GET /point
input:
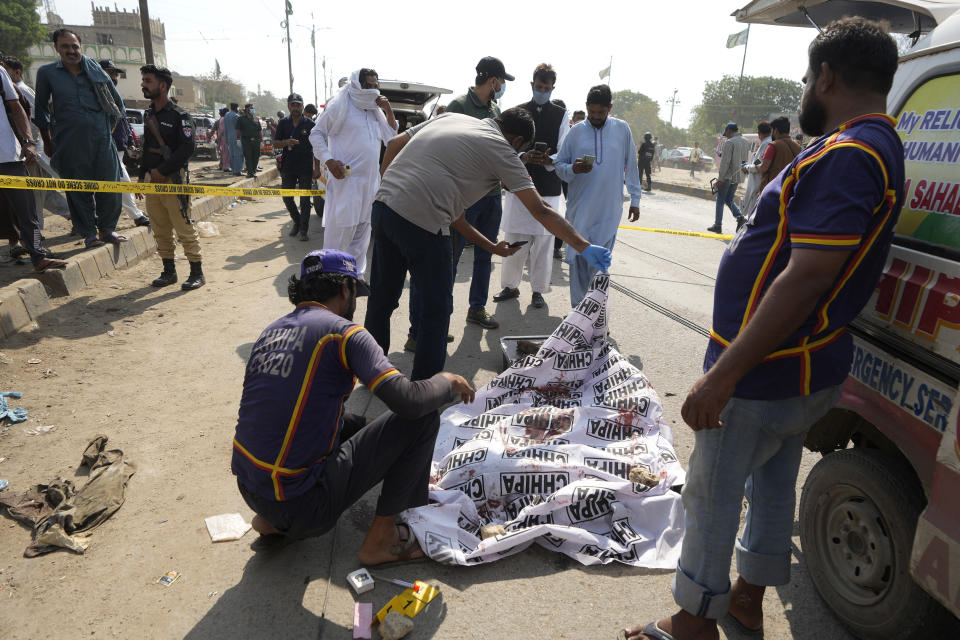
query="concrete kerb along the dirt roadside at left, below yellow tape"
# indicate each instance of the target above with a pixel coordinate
(25, 300)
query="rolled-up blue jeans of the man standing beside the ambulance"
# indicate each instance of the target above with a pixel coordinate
(756, 454)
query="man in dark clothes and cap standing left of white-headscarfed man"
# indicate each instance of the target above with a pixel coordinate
(296, 163)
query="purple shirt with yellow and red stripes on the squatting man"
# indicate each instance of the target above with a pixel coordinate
(299, 375)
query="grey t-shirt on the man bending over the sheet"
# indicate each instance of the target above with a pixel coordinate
(451, 161)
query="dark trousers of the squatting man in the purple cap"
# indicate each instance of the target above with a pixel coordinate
(390, 449)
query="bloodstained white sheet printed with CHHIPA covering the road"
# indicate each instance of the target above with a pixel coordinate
(566, 448)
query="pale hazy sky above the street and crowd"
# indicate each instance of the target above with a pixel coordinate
(657, 45)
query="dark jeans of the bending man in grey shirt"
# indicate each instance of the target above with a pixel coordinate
(400, 246)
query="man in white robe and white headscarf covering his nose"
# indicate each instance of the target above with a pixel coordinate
(347, 139)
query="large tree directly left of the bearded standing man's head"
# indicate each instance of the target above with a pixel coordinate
(725, 100)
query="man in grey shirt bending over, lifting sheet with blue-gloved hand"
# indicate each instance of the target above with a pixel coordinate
(431, 174)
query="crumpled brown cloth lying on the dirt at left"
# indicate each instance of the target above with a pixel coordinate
(57, 511)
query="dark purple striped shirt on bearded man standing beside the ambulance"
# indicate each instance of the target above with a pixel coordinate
(842, 193)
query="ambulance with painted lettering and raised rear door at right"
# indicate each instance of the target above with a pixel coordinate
(880, 512)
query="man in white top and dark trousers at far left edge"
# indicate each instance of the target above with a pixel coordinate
(19, 216)
